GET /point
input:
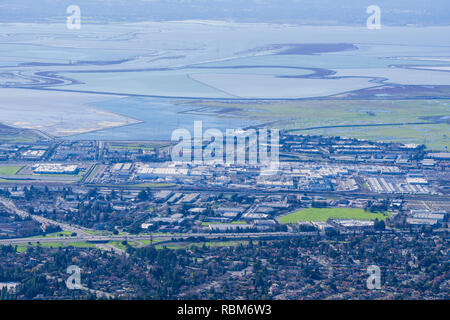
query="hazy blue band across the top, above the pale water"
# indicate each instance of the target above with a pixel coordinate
(394, 12)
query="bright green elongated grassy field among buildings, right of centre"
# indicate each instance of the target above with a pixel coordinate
(323, 214)
